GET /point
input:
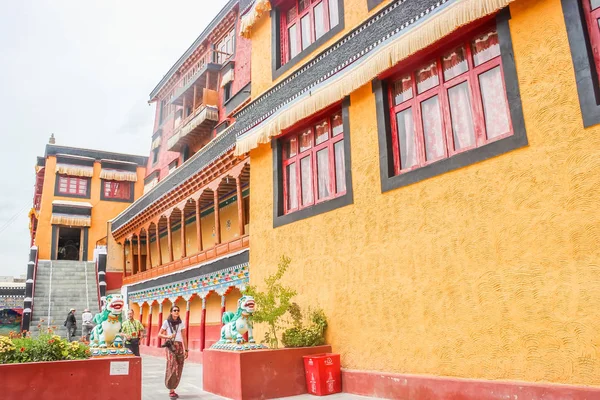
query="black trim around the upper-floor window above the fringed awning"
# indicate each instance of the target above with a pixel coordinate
(277, 68)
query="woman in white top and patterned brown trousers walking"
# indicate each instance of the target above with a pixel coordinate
(173, 331)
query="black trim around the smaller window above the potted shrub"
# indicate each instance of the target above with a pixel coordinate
(279, 218)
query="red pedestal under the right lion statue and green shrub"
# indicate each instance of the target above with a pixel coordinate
(256, 374)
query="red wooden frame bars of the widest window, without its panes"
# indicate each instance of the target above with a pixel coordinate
(441, 90)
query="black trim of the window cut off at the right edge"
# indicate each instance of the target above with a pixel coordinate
(588, 87)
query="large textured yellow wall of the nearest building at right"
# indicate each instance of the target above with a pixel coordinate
(491, 271)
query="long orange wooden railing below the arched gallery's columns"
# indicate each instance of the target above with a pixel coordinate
(179, 265)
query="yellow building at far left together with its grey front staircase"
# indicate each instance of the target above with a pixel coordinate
(76, 192)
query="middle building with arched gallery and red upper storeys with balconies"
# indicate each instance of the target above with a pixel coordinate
(186, 241)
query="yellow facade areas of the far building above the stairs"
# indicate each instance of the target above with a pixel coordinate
(102, 211)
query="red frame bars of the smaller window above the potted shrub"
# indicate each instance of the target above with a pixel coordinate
(292, 156)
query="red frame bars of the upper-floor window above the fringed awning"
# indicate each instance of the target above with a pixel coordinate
(290, 19)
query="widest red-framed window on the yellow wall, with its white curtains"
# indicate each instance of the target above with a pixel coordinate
(452, 103)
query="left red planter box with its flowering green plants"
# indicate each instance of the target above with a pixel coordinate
(42, 367)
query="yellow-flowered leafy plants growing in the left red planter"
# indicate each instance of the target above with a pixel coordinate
(19, 348)
